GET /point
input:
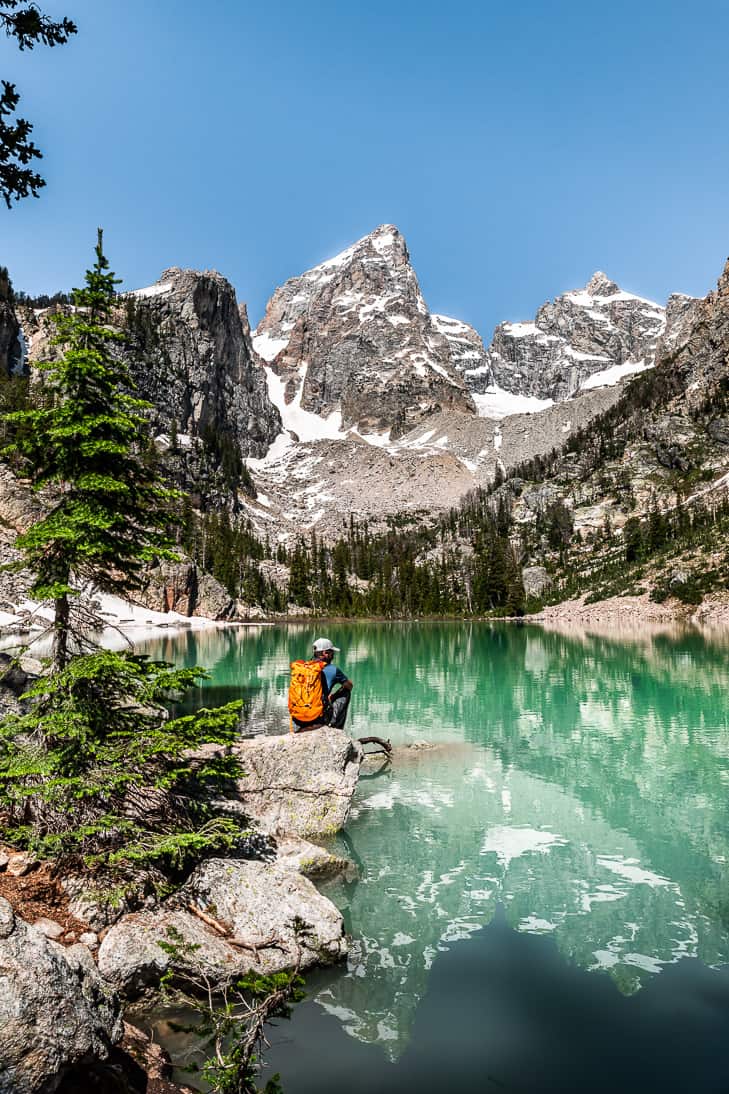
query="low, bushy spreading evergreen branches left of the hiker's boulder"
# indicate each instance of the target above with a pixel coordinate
(97, 769)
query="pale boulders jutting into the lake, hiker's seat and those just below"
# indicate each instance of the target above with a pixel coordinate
(298, 785)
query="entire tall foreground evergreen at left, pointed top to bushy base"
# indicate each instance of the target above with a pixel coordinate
(97, 770)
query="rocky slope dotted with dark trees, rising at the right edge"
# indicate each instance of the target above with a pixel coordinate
(659, 453)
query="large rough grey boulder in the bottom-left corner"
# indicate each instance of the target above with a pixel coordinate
(55, 1011)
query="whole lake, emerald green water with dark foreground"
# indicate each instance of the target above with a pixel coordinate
(542, 901)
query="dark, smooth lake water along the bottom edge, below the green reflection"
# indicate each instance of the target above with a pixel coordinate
(505, 1012)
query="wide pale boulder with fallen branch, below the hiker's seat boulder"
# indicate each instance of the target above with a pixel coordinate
(258, 902)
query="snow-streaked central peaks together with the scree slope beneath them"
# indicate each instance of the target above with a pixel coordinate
(331, 341)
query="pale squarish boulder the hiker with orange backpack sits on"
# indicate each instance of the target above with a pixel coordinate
(302, 784)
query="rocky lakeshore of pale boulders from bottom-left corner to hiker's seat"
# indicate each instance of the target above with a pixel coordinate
(72, 963)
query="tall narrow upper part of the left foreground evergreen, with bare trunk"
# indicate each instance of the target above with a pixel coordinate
(110, 513)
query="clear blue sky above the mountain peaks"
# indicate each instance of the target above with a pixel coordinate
(518, 146)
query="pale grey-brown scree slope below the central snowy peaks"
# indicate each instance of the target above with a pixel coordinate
(319, 485)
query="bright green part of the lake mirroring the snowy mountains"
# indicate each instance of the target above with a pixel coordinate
(580, 783)
